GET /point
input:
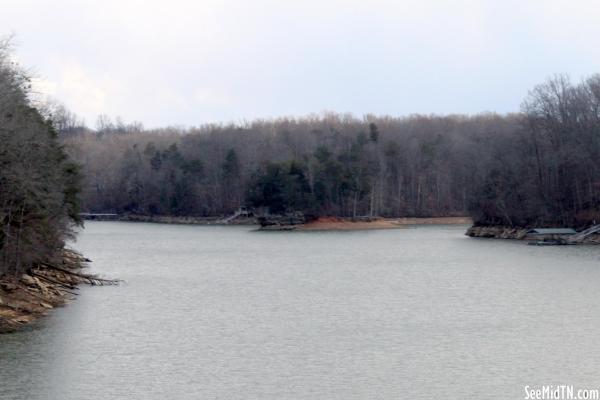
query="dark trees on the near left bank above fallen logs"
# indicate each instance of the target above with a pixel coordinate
(38, 184)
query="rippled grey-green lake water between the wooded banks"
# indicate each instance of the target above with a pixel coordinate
(229, 313)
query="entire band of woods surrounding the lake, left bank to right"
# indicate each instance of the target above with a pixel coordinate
(539, 166)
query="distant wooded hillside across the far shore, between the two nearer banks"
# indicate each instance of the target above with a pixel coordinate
(330, 164)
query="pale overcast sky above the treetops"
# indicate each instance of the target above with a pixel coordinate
(183, 62)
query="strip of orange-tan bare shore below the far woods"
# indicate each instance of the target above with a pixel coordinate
(333, 223)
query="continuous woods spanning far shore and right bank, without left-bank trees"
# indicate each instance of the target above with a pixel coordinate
(539, 166)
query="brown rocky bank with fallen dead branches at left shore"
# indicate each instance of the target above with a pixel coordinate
(26, 298)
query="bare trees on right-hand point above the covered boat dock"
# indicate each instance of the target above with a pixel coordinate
(547, 172)
